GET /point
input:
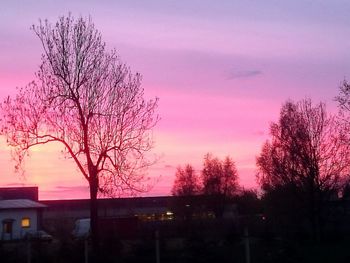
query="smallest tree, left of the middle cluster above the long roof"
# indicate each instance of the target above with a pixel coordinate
(186, 182)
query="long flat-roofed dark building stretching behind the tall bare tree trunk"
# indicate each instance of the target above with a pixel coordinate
(159, 208)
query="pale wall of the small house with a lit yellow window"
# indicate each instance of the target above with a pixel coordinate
(18, 231)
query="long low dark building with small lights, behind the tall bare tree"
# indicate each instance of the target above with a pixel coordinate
(137, 216)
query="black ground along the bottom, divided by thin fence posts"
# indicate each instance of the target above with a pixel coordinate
(194, 249)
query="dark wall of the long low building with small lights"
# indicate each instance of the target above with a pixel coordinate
(60, 216)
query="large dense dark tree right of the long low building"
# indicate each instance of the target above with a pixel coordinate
(305, 156)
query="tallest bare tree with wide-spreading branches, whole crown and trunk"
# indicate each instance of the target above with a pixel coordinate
(85, 98)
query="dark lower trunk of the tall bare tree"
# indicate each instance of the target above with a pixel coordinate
(94, 215)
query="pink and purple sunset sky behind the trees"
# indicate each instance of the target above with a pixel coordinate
(221, 70)
